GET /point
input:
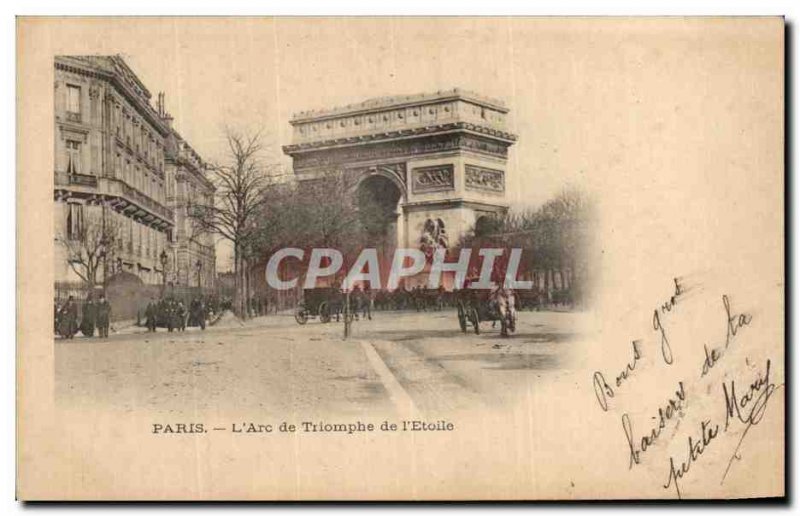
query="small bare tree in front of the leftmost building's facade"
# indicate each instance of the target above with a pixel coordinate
(90, 244)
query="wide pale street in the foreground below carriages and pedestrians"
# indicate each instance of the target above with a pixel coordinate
(401, 363)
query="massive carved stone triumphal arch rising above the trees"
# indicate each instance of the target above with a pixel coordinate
(439, 160)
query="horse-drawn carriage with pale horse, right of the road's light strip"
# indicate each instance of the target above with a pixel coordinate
(477, 306)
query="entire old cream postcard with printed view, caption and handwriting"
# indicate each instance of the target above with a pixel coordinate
(400, 258)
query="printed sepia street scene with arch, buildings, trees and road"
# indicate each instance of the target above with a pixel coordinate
(141, 289)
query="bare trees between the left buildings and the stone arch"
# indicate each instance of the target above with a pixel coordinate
(258, 212)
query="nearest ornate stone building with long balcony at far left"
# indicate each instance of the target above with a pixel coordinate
(112, 208)
